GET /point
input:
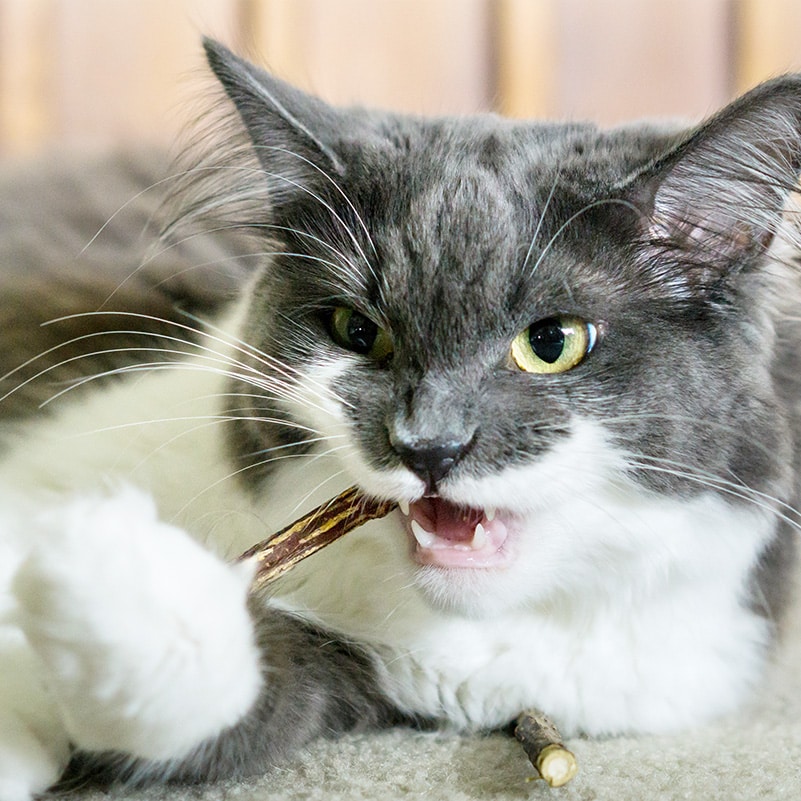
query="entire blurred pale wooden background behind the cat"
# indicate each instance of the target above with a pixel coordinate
(90, 73)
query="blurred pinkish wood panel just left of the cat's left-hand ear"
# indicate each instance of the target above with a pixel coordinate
(123, 66)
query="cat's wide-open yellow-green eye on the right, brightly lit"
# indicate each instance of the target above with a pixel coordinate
(553, 345)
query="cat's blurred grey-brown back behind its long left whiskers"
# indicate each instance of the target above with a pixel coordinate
(85, 284)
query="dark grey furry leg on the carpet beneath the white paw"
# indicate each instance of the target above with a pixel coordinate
(315, 686)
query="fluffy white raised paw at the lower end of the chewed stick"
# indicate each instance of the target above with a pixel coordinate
(145, 636)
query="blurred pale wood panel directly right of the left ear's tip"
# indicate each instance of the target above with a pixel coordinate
(420, 56)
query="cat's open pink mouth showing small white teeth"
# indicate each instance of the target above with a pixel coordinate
(448, 535)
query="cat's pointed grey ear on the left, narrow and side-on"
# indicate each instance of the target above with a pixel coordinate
(294, 135)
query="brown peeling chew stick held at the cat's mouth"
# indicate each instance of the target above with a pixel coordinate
(313, 531)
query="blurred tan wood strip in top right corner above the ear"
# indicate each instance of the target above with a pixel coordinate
(768, 40)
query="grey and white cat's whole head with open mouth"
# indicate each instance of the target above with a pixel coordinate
(503, 325)
